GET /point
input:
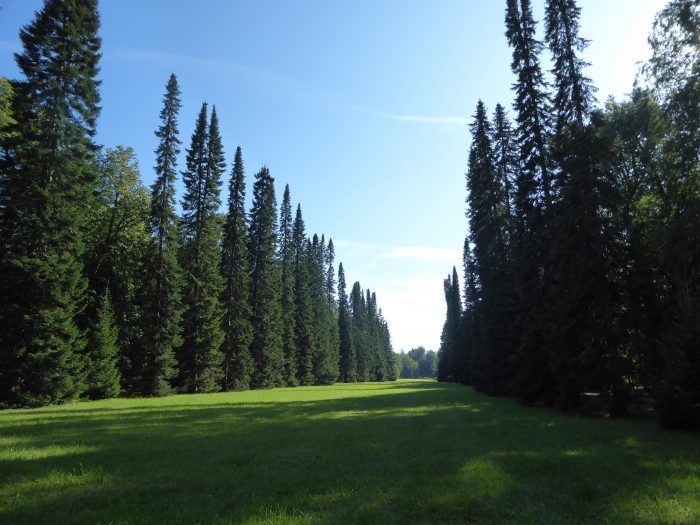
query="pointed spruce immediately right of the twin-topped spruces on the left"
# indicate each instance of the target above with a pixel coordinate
(238, 362)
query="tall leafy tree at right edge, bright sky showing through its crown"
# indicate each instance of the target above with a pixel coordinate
(674, 72)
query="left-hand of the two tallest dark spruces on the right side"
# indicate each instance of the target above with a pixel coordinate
(533, 199)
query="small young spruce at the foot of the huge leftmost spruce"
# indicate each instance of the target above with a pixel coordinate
(103, 352)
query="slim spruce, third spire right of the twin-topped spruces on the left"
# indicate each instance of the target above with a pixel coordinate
(286, 257)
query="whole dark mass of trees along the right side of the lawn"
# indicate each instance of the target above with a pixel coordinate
(582, 259)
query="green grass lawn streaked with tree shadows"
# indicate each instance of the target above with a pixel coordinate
(407, 452)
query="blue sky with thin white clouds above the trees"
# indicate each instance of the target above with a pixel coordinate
(361, 106)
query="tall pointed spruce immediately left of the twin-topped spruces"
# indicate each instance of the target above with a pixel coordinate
(152, 369)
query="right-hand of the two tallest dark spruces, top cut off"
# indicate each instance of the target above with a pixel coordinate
(581, 339)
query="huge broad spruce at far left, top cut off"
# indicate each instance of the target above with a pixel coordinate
(47, 187)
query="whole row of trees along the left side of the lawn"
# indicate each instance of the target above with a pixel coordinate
(107, 290)
